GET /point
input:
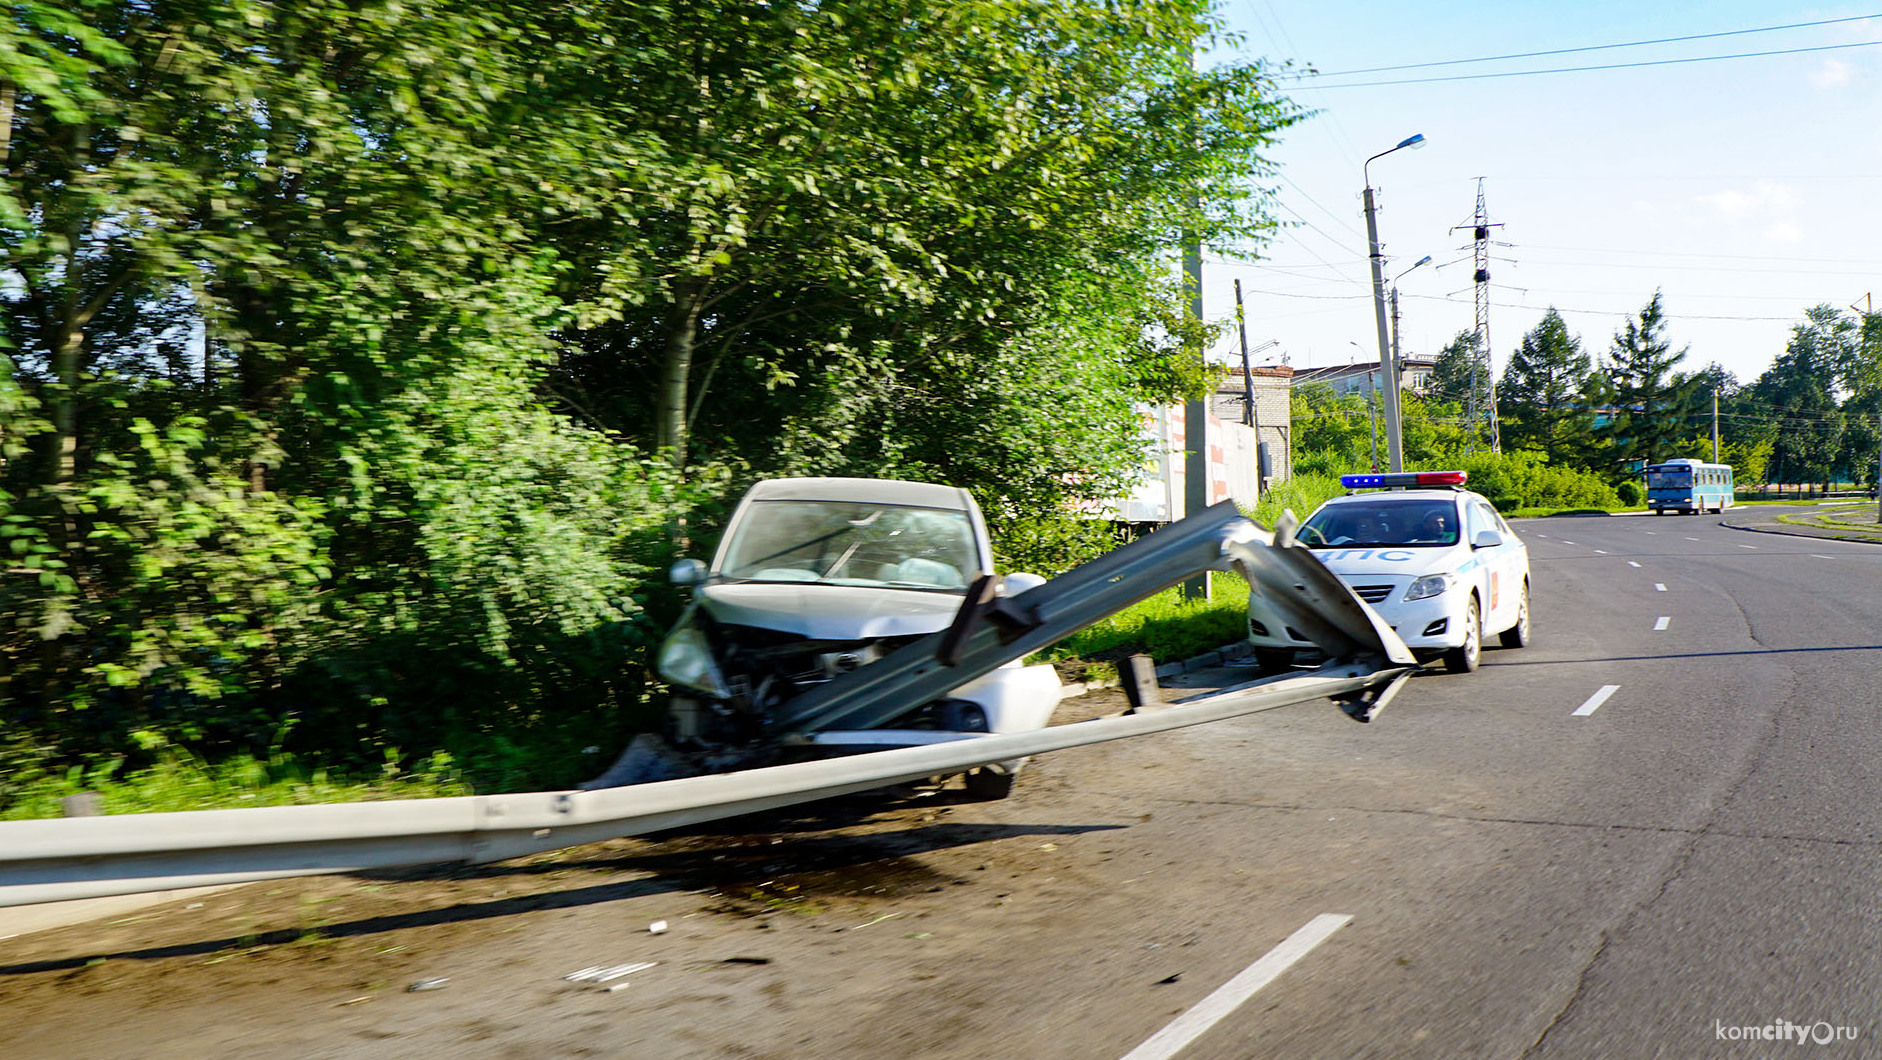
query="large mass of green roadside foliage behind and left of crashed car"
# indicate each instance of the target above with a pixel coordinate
(362, 359)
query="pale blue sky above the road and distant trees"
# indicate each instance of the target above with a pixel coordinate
(1744, 189)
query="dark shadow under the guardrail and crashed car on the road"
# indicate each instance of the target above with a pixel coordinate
(742, 871)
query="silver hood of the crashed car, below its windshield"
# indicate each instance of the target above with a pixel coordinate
(831, 613)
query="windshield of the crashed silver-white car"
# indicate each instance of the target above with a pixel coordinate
(848, 543)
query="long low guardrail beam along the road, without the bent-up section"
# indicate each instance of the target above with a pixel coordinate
(89, 858)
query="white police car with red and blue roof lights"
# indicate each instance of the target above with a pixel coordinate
(1433, 558)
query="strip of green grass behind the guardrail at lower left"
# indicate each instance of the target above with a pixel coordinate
(183, 782)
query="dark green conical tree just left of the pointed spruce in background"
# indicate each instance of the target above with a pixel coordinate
(1544, 396)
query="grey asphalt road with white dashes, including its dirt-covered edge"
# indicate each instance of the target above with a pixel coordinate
(1695, 856)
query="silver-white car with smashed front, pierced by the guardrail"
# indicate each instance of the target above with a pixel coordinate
(818, 577)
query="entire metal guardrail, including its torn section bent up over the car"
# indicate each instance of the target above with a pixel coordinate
(91, 858)
